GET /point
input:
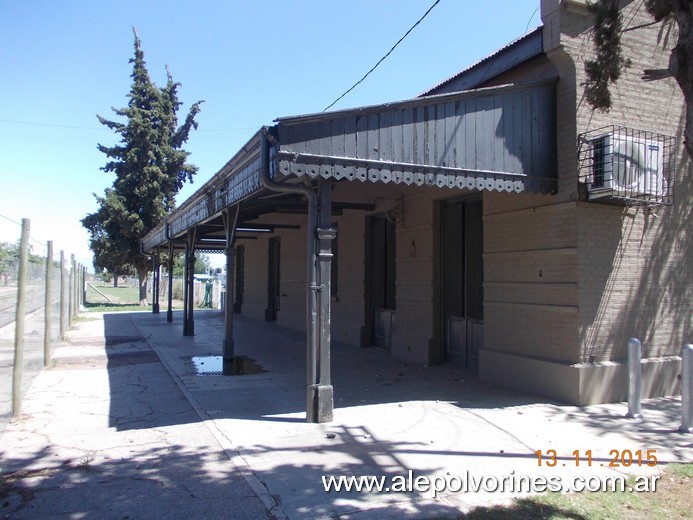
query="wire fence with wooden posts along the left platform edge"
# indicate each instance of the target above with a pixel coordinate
(40, 294)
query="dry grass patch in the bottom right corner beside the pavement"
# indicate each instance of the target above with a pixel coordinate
(672, 499)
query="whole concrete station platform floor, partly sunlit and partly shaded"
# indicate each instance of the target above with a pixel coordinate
(111, 432)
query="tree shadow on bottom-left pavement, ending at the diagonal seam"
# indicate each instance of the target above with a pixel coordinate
(162, 482)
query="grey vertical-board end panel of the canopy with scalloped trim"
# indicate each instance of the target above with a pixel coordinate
(509, 131)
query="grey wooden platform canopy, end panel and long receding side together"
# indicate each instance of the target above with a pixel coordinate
(498, 138)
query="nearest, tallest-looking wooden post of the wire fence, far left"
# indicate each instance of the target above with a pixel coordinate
(18, 366)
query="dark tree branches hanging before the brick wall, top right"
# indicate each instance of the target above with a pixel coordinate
(610, 62)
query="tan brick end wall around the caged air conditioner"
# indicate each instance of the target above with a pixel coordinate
(634, 268)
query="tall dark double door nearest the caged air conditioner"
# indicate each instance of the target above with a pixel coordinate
(461, 281)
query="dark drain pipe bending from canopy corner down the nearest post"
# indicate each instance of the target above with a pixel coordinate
(312, 274)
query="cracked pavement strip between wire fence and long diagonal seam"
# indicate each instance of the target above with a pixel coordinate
(106, 433)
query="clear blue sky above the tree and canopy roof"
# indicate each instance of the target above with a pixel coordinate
(63, 62)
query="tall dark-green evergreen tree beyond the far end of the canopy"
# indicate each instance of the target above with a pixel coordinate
(150, 168)
